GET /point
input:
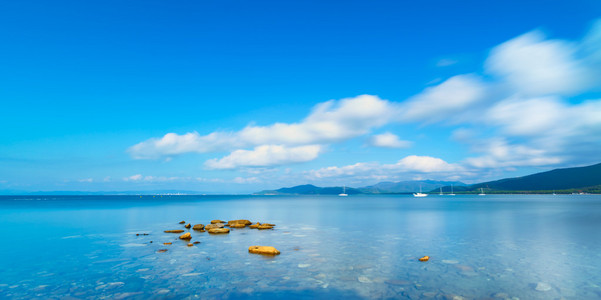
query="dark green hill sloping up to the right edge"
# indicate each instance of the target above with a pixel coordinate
(580, 178)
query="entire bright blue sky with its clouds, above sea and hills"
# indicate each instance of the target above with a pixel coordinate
(238, 96)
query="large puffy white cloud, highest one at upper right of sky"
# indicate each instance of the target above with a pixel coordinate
(535, 66)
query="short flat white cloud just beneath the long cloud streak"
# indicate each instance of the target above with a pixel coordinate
(264, 156)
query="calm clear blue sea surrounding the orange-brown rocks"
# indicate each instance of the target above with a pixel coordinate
(356, 247)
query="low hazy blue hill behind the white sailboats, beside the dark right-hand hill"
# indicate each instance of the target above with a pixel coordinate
(408, 186)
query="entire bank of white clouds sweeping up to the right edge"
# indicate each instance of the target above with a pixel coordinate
(519, 111)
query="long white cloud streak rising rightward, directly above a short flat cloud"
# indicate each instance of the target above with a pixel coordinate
(329, 122)
